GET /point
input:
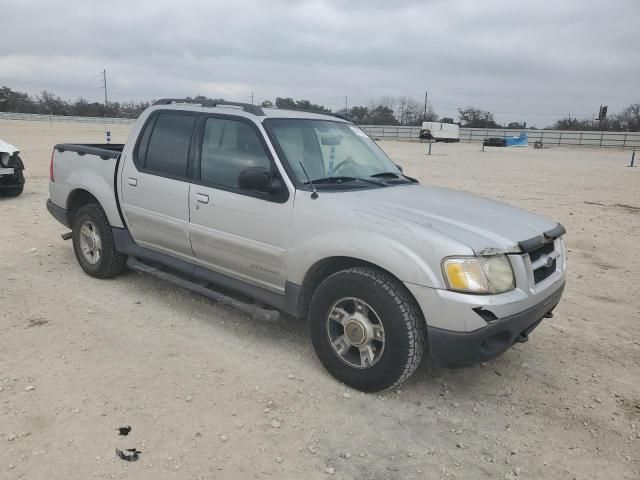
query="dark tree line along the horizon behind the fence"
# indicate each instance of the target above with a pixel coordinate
(401, 110)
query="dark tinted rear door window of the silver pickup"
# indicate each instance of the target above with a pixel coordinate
(168, 150)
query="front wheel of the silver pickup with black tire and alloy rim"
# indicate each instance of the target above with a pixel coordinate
(395, 358)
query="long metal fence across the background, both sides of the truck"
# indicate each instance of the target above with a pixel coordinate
(388, 132)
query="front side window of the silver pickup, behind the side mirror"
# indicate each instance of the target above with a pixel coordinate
(228, 148)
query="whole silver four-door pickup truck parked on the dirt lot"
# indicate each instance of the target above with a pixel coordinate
(273, 210)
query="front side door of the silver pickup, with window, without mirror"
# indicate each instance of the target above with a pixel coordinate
(237, 232)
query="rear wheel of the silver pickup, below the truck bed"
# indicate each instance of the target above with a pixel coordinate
(105, 261)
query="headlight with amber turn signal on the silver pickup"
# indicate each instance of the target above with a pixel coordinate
(491, 274)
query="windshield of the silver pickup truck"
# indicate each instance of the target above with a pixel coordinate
(331, 151)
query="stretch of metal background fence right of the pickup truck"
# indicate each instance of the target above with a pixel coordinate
(548, 137)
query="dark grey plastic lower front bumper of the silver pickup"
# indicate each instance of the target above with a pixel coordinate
(459, 349)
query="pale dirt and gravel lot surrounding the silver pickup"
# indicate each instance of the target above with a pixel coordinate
(210, 393)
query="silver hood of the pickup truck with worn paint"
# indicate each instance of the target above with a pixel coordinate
(486, 226)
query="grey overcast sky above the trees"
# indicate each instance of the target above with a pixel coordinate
(530, 61)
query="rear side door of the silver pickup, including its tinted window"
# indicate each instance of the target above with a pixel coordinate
(155, 185)
